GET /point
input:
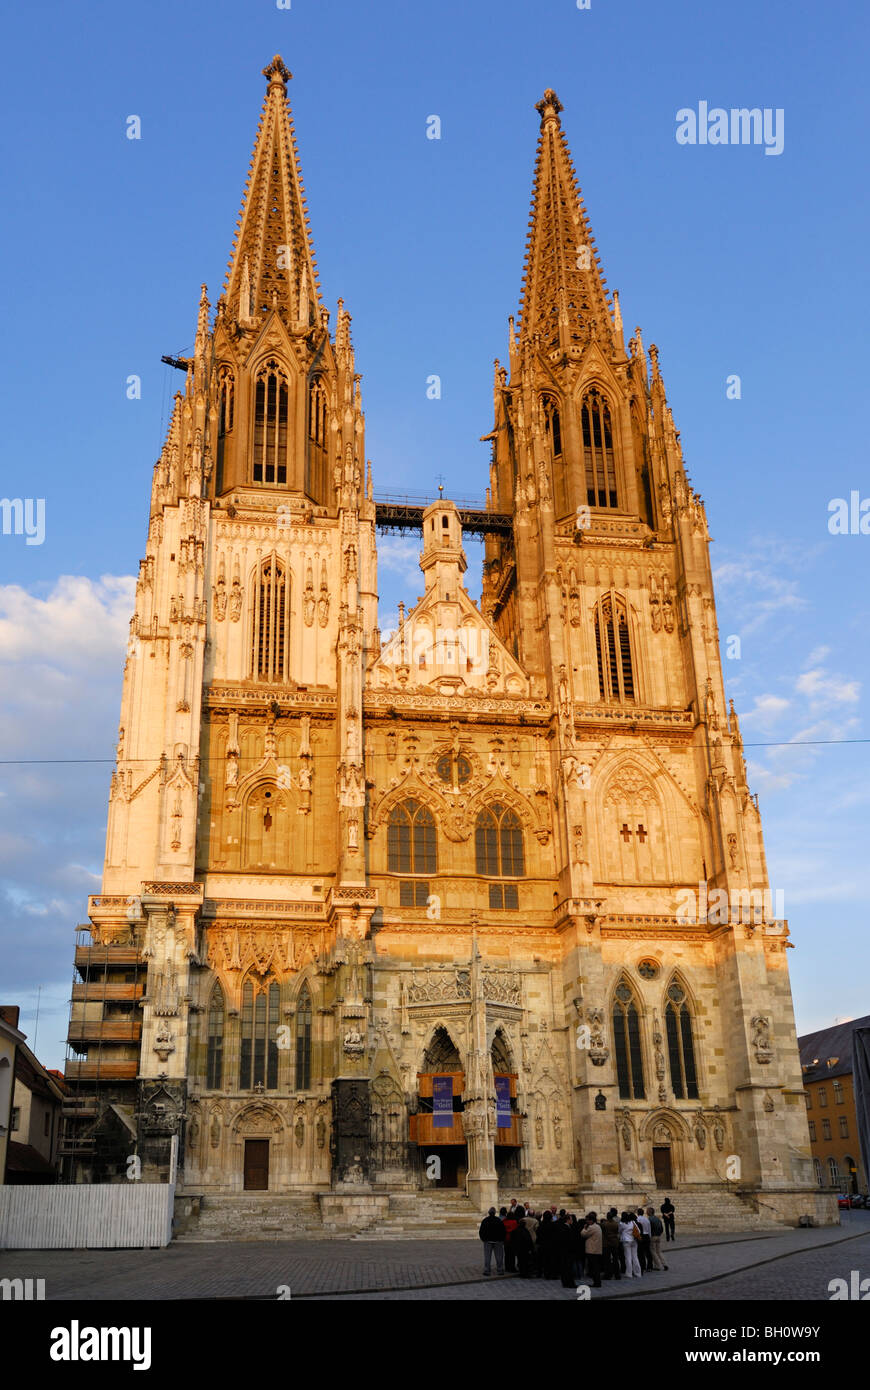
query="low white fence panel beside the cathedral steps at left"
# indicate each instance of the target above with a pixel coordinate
(87, 1217)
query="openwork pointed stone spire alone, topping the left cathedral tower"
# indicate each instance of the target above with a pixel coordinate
(273, 263)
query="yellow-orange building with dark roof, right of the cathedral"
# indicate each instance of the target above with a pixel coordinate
(826, 1061)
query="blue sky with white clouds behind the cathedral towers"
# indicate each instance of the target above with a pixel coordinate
(733, 262)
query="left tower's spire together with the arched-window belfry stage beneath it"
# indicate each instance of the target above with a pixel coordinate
(286, 397)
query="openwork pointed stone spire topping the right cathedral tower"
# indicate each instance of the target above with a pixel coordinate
(564, 290)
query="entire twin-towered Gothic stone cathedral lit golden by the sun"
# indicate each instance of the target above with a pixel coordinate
(387, 914)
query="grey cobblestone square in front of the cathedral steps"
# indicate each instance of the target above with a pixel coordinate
(789, 1264)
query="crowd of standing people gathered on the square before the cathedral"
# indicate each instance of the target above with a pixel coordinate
(558, 1245)
